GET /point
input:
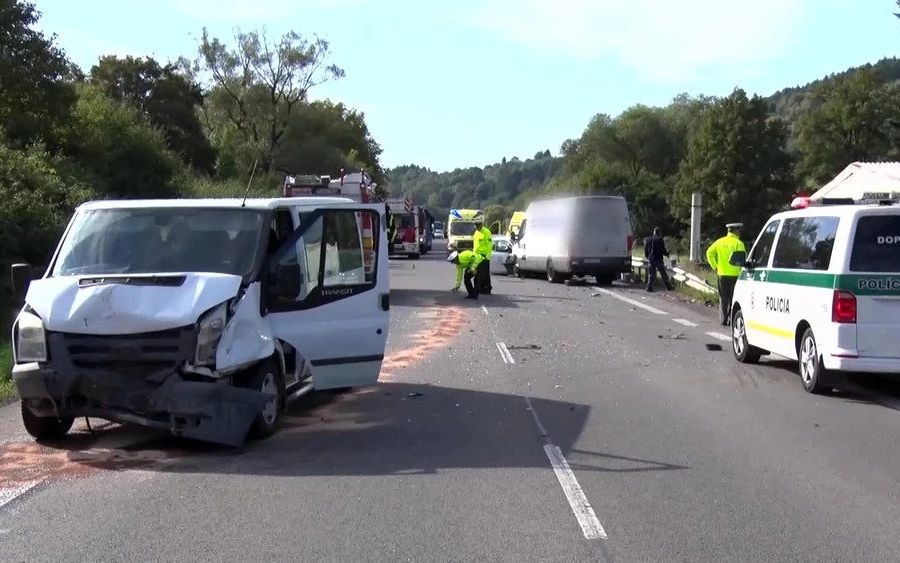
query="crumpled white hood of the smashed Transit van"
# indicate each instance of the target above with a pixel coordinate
(127, 304)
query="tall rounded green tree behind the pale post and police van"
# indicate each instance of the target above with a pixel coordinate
(737, 159)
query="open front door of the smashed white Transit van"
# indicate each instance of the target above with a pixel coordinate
(321, 298)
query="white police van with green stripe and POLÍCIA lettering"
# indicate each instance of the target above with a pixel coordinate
(821, 285)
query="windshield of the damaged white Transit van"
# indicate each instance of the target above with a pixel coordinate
(156, 240)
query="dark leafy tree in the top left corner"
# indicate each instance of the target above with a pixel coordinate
(35, 94)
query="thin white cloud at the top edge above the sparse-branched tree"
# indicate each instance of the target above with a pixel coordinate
(253, 11)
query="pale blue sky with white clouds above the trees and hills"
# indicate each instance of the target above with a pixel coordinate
(451, 84)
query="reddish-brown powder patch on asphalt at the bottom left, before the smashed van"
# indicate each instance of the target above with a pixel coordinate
(22, 463)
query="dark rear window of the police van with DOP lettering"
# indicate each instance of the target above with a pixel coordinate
(876, 245)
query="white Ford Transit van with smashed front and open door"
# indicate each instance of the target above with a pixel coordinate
(201, 317)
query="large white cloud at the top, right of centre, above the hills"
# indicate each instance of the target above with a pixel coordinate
(663, 40)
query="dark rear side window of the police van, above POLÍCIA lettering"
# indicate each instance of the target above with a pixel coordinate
(806, 243)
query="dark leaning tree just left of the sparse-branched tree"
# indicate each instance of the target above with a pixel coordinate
(166, 97)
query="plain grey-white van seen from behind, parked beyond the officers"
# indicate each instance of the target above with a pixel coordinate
(575, 236)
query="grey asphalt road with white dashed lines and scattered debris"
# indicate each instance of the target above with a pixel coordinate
(544, 422)
